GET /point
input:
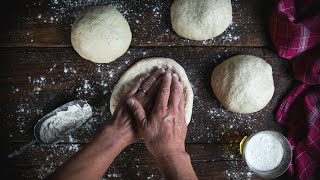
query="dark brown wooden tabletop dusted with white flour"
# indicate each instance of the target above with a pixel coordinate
(40, 71)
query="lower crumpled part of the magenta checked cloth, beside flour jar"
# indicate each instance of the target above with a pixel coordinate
(300, 113)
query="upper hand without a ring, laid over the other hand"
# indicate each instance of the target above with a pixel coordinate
(164, 129)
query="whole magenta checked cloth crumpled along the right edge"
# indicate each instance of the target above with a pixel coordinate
(295, 32)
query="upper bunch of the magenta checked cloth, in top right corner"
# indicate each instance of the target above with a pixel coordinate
(295, 26)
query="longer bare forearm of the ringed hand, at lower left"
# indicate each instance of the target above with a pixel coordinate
(93, 160)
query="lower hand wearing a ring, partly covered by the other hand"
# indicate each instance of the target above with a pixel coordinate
(123, 125)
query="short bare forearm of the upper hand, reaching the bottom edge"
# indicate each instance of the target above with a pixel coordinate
(177, 166)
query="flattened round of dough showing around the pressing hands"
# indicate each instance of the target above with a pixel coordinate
(148, 66)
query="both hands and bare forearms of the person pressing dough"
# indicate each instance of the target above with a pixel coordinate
(157, 116)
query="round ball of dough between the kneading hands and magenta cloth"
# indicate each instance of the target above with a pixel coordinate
(243, 83)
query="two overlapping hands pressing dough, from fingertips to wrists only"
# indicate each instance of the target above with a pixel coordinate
(157, 116)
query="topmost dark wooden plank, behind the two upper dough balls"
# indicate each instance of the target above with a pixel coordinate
(45, 24)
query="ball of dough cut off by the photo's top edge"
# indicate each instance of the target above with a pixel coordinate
(202, 19)
